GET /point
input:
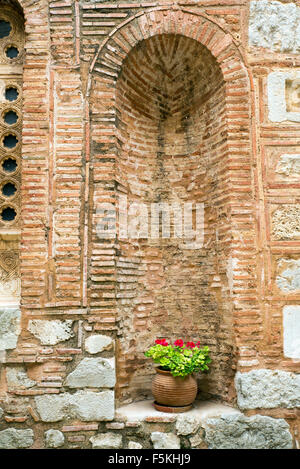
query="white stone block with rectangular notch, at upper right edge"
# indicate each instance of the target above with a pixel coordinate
(284, 96)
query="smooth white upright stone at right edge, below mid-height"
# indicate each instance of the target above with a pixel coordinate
(291, 331)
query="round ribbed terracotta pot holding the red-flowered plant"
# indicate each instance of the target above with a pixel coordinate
(173, 394)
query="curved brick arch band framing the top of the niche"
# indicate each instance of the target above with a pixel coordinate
(166, 20)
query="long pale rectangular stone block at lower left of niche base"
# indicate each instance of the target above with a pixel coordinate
(83, 405)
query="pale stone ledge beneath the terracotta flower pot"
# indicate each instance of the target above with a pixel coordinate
(144, 411)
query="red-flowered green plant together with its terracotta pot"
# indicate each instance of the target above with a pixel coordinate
(174, 387)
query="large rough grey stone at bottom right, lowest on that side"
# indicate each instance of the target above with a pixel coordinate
(241, 432)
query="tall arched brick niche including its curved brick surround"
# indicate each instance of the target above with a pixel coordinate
(162, 91)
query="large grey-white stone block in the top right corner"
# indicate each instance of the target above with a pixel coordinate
(274, 25)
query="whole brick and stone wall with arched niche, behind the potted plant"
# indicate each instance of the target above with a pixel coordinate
(168, 102)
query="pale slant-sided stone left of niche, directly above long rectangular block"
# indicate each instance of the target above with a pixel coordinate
(93, 372)
